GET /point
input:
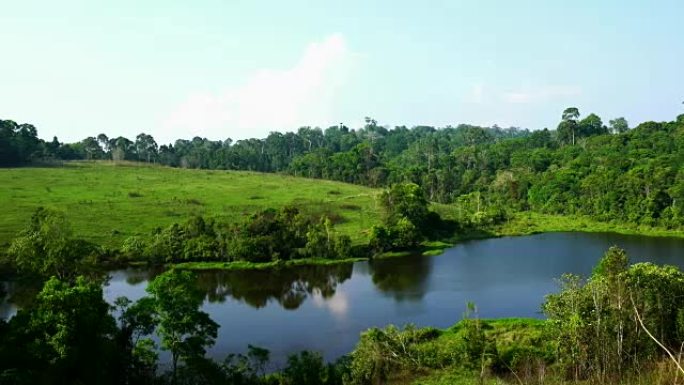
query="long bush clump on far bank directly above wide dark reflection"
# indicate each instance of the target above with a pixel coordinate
(267, 235)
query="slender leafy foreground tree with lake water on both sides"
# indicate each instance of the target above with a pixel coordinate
(183, 328)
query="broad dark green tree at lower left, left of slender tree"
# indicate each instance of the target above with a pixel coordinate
(70, 328)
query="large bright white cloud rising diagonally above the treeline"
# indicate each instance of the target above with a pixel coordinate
(270, 99)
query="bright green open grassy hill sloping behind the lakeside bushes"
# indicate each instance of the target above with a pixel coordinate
(107, 202)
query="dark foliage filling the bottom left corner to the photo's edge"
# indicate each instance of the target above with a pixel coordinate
(67, 336)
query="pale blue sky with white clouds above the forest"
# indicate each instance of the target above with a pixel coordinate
(241, 69)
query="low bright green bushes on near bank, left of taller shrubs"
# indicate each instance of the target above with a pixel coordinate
(393, 355)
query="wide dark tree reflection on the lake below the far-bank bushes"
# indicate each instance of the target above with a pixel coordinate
(288, 286)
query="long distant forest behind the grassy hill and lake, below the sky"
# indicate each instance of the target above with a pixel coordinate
(583, 167)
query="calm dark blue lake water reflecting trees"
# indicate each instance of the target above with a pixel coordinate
(324, 308)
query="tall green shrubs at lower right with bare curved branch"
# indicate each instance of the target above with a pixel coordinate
(595, 324)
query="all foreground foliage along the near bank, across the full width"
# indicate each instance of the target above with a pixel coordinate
(591, 336)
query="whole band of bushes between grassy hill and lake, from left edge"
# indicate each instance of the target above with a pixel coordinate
(47, 247)
